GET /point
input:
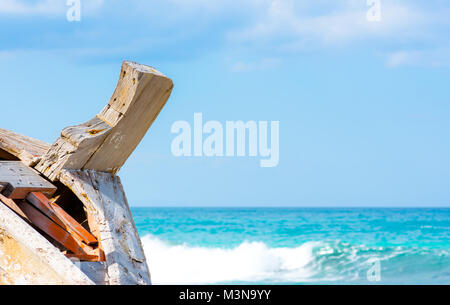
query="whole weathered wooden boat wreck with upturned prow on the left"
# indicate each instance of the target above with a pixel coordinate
(64, 216)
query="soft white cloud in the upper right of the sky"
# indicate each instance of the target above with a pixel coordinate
(296, 23)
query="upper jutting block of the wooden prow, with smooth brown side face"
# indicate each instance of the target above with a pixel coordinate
(139, 97)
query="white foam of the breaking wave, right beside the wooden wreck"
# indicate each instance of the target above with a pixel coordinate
(249, 262)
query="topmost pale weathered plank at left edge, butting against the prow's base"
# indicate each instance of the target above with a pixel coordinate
(26, 149)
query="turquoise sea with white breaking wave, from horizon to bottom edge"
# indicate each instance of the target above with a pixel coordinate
(296, 245)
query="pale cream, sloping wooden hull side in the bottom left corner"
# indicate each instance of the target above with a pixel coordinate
(28, 258)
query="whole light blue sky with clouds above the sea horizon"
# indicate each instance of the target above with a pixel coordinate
(364, 107)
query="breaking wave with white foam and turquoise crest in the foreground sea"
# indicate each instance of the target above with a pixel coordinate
(311, 262)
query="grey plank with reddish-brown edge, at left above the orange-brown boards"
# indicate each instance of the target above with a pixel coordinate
(19, 180)
